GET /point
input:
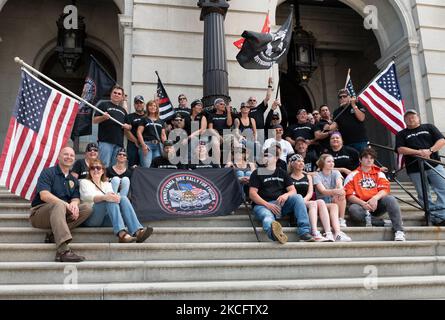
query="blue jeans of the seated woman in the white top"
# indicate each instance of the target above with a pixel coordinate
(117, 215)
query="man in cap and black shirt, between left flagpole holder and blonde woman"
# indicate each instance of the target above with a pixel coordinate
(134, 119)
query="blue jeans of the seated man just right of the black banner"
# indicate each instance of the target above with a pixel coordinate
(294, 204)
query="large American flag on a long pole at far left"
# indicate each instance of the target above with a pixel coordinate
(40, 125)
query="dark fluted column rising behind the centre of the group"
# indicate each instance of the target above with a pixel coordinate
(215, 75)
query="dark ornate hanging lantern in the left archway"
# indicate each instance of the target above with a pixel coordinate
(70, 42)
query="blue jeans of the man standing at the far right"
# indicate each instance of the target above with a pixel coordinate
(438, 185)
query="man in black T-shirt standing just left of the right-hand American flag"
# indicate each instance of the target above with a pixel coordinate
(350, 120)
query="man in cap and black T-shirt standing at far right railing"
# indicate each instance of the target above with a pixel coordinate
(424, 140)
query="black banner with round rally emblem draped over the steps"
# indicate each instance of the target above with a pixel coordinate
(159, 194)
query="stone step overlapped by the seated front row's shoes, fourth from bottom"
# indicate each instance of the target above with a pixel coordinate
(221, 234)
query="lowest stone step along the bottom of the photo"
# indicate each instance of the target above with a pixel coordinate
(427, 287)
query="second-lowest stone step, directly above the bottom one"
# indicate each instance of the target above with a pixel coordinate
(217, 270)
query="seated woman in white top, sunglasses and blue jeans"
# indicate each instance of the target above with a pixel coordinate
(109, 208)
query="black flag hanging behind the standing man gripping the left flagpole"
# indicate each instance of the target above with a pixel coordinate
(97, 87)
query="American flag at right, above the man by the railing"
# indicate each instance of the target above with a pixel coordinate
(384, 101)
